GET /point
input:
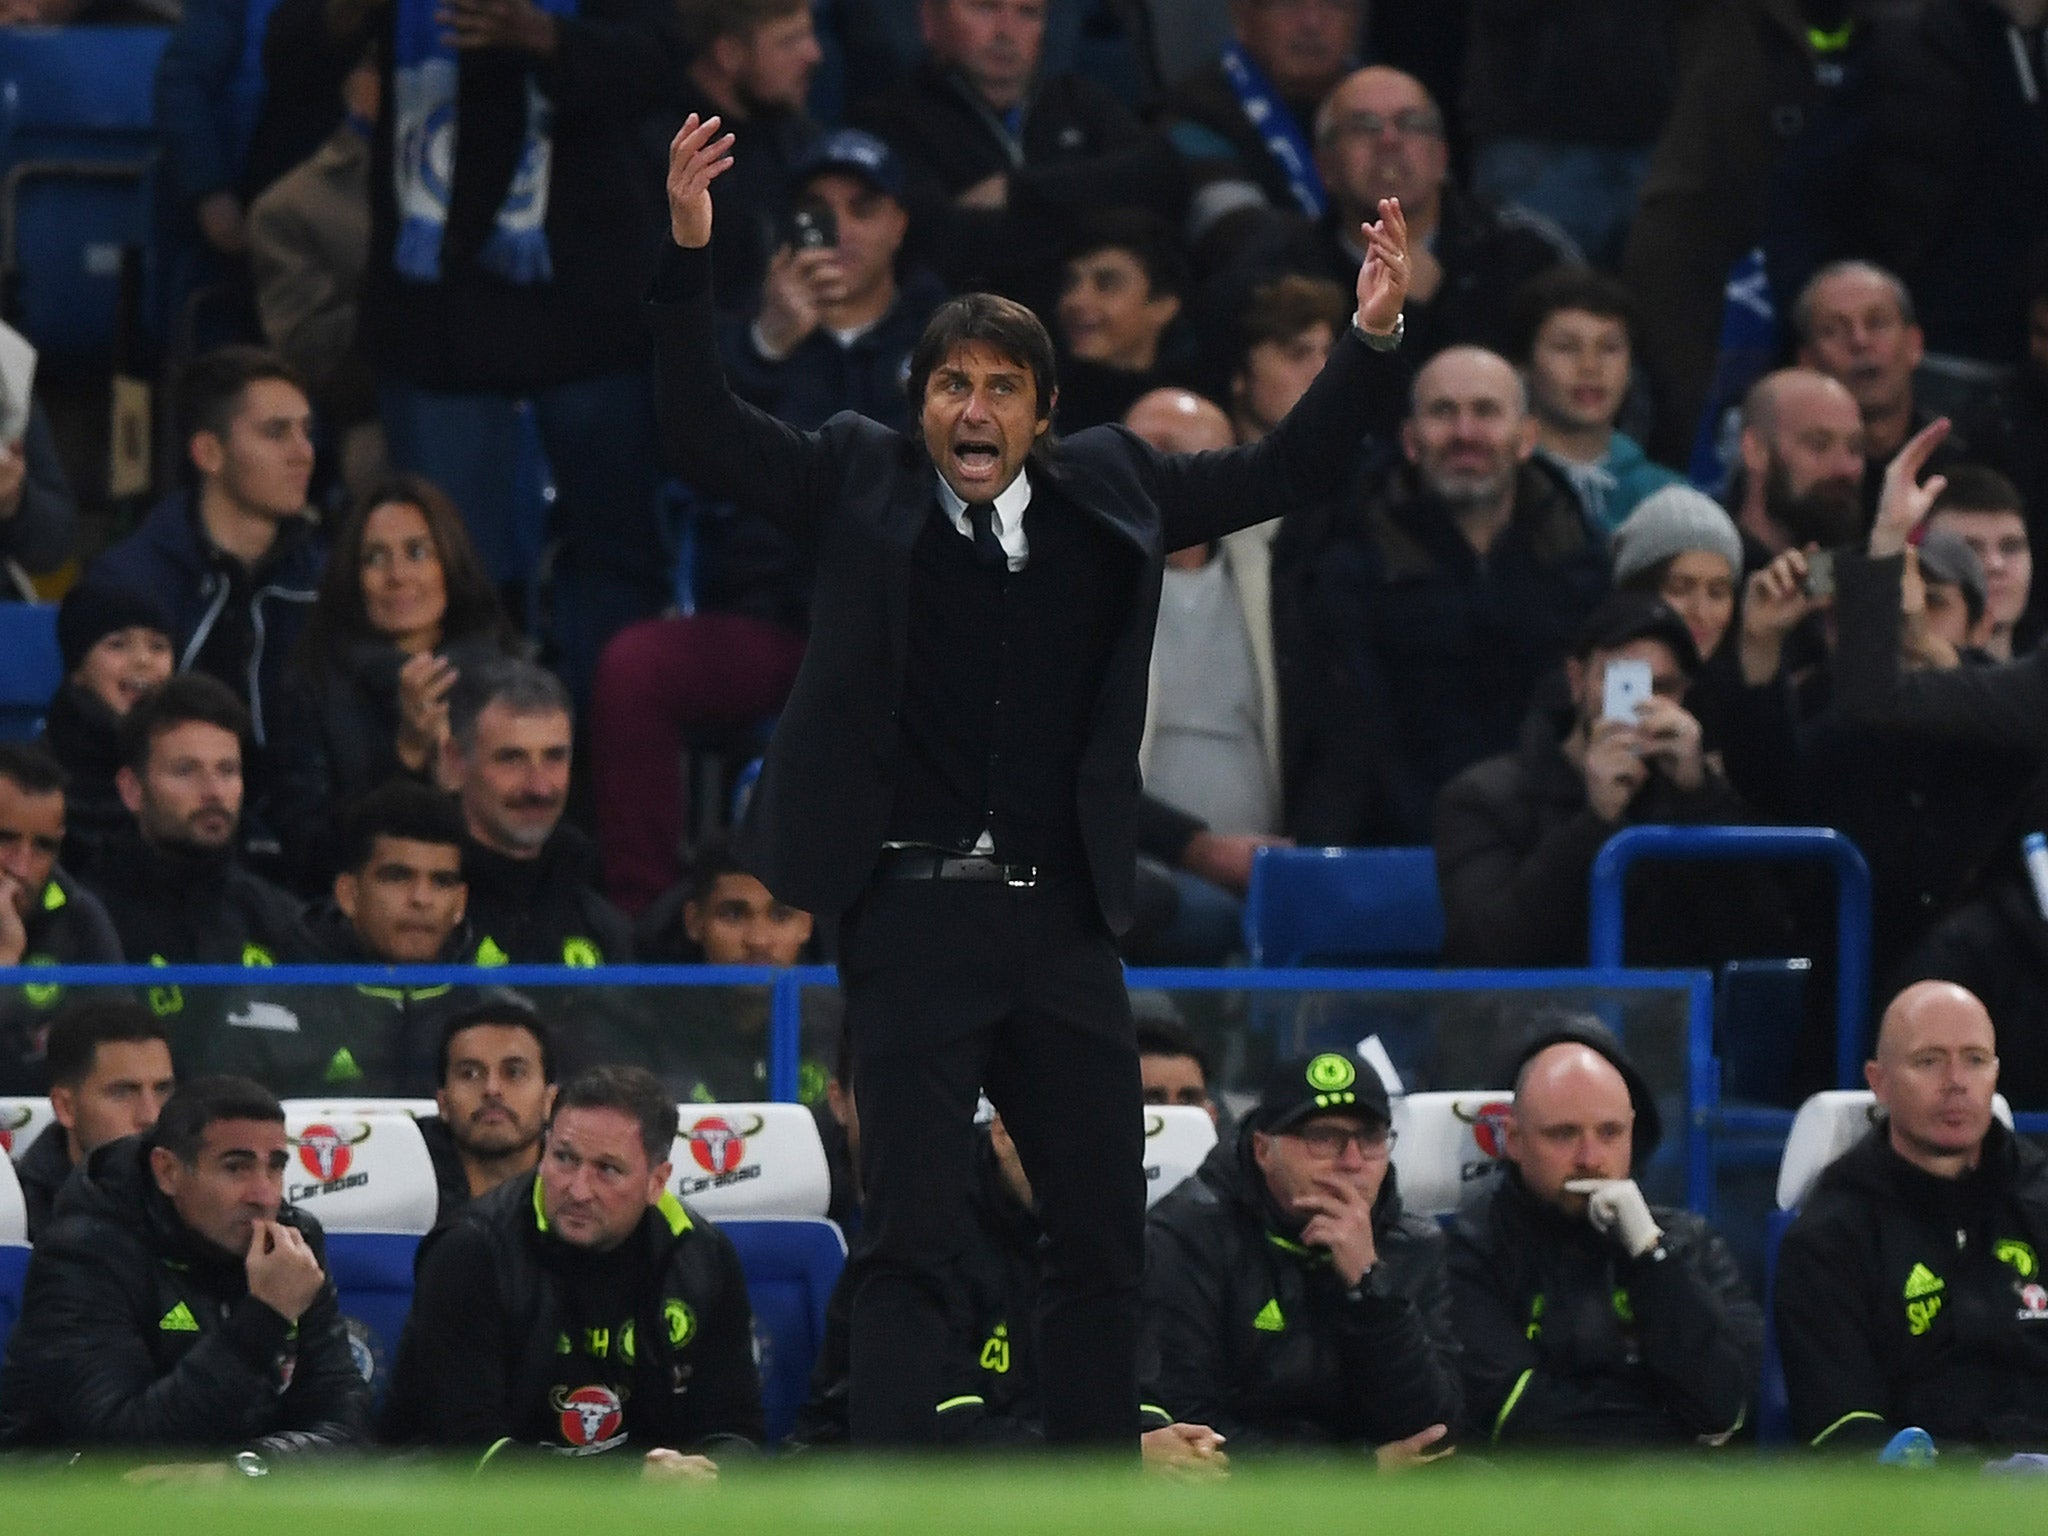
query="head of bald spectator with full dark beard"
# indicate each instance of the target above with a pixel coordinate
(1803, 466)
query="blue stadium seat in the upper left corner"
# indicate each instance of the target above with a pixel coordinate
(79, 153)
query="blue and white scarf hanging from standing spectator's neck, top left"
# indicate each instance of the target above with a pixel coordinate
(423, 161)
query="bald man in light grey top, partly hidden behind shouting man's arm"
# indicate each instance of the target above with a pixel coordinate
(1211, 749)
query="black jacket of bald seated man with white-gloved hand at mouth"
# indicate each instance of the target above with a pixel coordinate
(1572, 1342)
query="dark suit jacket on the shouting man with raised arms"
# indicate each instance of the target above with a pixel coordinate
(857, 497)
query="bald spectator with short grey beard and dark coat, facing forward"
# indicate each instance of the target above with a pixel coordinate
(1447, 601)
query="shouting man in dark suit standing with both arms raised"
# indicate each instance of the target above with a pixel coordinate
(955, 775)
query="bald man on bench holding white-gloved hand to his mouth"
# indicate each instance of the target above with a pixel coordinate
(1588, 1316)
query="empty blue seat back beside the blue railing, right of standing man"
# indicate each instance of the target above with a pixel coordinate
(1345, 906)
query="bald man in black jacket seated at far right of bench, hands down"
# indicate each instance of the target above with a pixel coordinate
(1910, 1289)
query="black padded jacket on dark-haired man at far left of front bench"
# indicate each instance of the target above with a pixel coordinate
(134, 1332)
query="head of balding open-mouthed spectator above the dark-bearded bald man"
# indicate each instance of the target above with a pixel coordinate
(1857, 325)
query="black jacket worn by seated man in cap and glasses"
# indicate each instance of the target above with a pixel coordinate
(1256, 1336)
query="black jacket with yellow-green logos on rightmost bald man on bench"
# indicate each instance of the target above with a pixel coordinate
(1912, 1299)
